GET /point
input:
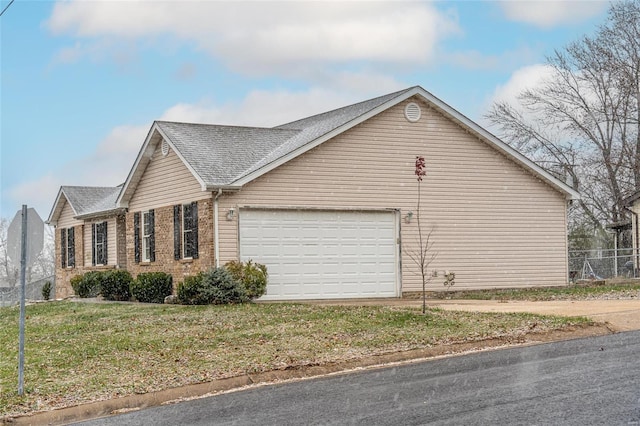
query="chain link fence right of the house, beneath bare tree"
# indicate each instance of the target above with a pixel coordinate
(603, 264)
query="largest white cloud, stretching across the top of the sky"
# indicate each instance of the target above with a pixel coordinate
(265, 37)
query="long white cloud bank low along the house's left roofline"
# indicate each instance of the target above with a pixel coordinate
(114, 155)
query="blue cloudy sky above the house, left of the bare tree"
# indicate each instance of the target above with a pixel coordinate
(82, 81)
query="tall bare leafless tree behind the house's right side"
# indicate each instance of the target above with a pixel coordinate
(583, 122)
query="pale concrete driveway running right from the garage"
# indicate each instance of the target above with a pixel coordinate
(621, 315)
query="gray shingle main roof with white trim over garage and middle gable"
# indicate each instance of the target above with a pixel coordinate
(228, 157)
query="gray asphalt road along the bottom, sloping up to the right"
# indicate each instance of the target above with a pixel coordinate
(593, 381)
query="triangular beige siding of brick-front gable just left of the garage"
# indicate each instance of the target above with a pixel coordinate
(166, 181)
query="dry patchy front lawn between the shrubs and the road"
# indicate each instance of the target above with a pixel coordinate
(81, 352)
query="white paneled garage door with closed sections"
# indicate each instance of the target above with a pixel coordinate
(322, 254)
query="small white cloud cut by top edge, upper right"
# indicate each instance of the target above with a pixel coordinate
(550, 13)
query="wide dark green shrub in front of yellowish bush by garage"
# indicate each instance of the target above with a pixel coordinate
(216, 286)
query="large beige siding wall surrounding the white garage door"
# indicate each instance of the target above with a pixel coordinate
(495, 224)
